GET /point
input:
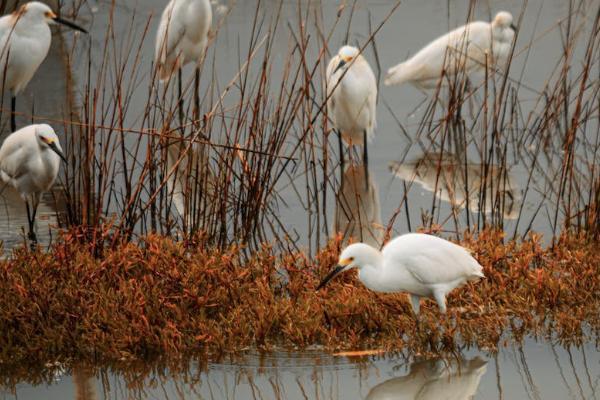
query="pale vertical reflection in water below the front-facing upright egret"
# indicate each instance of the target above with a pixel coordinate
(357, 208)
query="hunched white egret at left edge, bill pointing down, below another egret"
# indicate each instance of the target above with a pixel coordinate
(29, 161)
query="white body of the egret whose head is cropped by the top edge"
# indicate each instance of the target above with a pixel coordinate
(182, 35)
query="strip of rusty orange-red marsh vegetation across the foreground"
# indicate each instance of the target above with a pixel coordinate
(159, 296)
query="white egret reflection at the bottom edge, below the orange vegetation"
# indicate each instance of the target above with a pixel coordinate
(434, 379)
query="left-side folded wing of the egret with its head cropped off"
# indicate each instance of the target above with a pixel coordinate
(169, 35)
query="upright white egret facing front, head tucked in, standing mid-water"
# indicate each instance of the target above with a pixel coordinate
(352, 94)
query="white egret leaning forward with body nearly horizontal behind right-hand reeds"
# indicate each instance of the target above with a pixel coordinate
(467, 48)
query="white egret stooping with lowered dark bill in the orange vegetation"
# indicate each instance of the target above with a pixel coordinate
(420, 264)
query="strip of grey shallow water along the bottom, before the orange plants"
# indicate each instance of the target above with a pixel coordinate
(536, 371)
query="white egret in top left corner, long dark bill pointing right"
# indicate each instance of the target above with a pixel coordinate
(24, 43)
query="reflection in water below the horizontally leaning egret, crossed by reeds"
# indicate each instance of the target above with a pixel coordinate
(446, 173)
